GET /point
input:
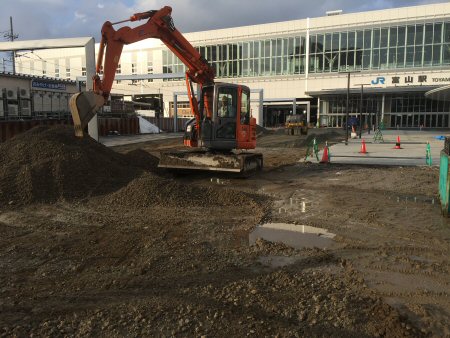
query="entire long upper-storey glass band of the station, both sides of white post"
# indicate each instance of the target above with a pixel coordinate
(393, 47)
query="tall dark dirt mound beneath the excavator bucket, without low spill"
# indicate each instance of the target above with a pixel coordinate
(46, 164)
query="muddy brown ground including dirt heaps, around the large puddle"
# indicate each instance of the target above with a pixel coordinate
(134, 251)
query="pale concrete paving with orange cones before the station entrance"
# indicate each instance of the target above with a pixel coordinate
(413, 152)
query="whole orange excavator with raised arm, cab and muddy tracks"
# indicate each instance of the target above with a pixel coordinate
(222, 127)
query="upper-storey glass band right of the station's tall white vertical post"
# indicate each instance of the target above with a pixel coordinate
(394, 47)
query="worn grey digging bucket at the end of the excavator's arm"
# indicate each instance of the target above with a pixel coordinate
(84, 106)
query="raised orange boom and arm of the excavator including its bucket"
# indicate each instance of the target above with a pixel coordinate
(160, 26)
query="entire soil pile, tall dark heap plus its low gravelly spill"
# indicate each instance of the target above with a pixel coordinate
(49, 164)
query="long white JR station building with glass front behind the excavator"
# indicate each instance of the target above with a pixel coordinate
(384, 61)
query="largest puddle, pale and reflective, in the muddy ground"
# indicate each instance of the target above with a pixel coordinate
(295, 236)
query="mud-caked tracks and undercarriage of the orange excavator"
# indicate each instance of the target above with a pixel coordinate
(214, 161)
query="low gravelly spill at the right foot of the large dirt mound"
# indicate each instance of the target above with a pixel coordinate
(152, 190)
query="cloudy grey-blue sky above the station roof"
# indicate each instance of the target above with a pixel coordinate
(40, 19)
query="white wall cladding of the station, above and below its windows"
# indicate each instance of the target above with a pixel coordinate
(274, 87)
